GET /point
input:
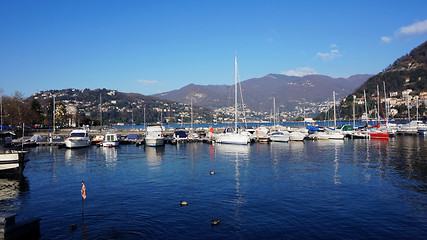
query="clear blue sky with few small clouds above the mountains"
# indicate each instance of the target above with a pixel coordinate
(149, 47)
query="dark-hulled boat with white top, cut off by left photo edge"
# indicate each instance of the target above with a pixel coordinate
(12, 161)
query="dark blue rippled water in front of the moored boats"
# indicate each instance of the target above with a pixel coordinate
(352, 189)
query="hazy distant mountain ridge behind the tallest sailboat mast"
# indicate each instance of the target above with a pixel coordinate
(259, 92)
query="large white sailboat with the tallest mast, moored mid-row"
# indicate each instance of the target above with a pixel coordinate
(233, 136)
